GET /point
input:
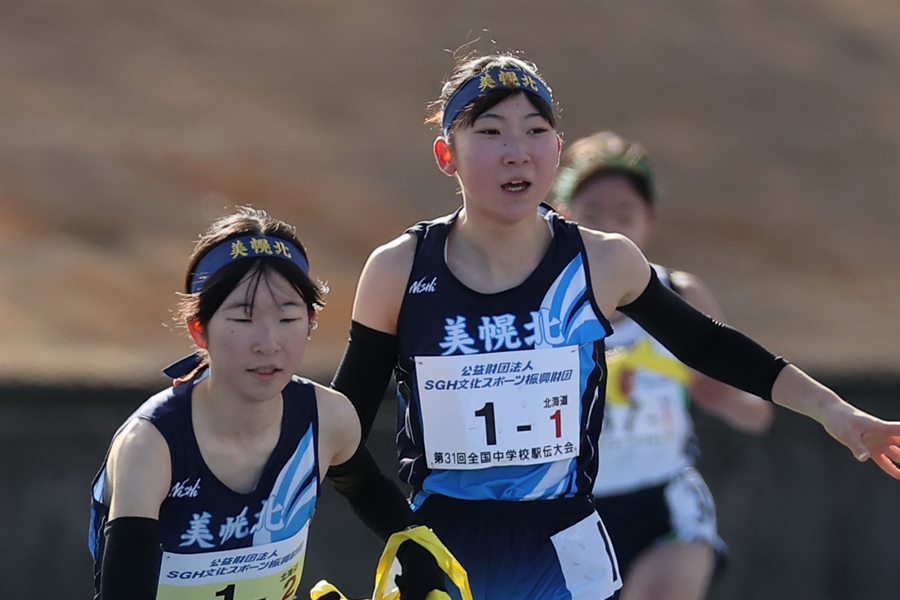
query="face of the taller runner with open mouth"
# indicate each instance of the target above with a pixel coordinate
(507, 159)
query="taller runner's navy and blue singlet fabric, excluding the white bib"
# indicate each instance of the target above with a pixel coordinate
(553, 307)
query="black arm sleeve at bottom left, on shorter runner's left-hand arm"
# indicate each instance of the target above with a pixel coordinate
(131, 559)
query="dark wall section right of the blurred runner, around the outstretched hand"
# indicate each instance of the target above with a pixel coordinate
(802, 518)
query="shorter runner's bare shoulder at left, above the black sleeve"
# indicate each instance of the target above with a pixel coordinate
(138, 470)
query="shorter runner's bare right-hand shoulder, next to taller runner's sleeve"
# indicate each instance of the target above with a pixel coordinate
(339, 429)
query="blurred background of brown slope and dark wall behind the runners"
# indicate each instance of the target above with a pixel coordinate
(126, 127)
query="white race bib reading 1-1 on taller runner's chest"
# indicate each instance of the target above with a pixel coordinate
(500, 408)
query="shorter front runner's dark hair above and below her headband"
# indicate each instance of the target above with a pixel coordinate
(202, 306)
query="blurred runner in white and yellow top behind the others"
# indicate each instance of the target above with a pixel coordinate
(659, 513)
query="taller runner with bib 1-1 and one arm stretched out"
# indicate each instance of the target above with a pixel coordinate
(494, 319)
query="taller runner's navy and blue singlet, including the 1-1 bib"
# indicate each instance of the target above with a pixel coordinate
(501, 395)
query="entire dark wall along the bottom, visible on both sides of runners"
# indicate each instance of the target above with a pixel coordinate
(801, 517)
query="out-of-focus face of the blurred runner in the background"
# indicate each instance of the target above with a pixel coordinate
(611, 204)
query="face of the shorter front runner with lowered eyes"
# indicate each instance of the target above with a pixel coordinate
(256, 353)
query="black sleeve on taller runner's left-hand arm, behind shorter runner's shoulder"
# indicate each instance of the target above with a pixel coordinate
(365, 371)
